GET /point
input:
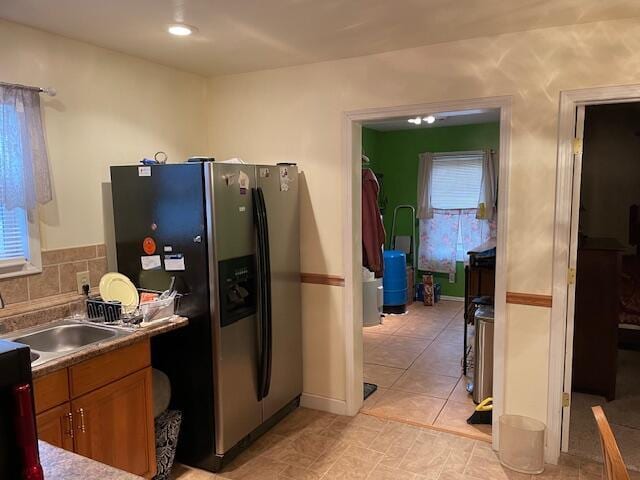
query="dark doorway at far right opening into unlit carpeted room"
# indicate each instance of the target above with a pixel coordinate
(603, 350)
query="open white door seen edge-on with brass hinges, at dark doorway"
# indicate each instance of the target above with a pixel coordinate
(571, 284)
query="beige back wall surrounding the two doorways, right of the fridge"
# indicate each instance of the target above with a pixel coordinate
(295, 114)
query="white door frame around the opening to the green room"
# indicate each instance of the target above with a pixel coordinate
(352, 238)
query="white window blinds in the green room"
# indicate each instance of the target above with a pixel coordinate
(456, 180)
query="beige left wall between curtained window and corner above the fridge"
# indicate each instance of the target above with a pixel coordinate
(110, 109)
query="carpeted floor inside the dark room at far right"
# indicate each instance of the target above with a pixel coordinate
(623, 414)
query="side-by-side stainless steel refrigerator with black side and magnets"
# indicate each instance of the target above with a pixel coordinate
(229, 234)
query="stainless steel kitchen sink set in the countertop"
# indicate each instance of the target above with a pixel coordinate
(53, 340)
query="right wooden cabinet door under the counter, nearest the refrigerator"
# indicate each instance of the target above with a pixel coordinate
(114, 424)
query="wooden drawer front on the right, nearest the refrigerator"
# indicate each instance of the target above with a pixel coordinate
(107, 368)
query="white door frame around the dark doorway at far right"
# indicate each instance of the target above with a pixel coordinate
(565, 246)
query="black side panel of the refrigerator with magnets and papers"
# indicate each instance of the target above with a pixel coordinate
(164, 206)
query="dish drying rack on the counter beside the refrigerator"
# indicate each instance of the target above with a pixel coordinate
(104, 311)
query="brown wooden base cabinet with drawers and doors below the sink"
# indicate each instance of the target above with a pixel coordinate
(109, 417)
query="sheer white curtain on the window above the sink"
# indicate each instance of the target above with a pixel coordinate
(24, 167)
